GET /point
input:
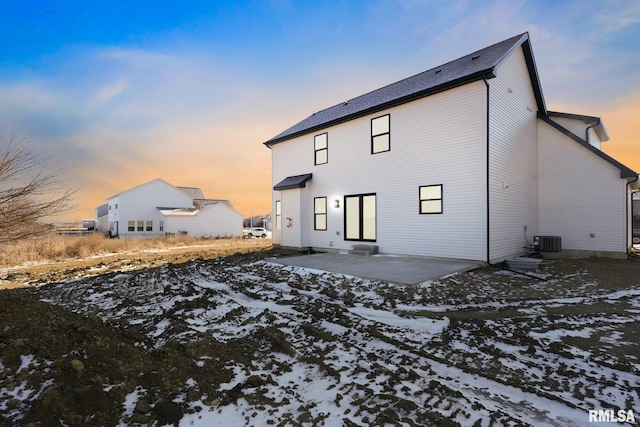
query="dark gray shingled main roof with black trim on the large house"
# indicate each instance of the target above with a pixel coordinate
(472, 67)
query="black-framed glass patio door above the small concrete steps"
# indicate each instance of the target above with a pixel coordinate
(360, 217)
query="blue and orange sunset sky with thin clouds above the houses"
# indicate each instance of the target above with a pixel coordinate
(123, 92)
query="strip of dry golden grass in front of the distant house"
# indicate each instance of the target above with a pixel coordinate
(53, 247)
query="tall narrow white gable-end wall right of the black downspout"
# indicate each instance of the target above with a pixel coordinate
(513, 155)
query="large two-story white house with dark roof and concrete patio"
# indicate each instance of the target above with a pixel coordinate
(460, 161)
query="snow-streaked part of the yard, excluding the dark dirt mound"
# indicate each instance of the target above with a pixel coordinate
(473, 349)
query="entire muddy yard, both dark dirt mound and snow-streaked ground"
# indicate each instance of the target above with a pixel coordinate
(222, 336)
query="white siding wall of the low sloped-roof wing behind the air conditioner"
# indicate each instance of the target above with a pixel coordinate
(574, 204)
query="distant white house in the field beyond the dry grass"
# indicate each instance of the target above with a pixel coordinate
(159, 208)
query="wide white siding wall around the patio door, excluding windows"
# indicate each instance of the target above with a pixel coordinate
(438, 139)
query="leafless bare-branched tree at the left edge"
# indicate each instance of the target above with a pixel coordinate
(28, 192)
